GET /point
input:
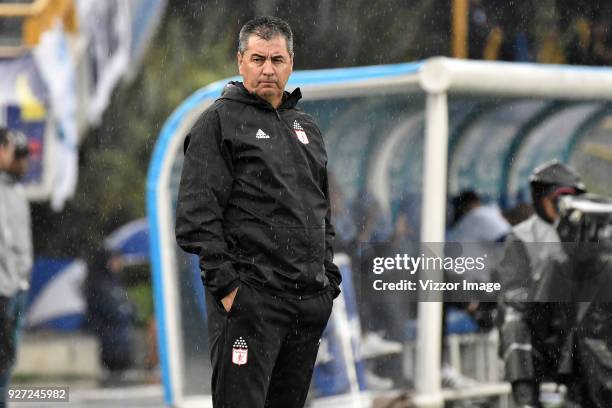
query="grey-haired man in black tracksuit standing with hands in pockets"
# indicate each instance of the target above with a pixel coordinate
(254, 206)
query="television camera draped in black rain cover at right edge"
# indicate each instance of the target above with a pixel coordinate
(578, 286)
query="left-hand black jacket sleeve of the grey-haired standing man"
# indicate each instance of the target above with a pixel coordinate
(205, 188)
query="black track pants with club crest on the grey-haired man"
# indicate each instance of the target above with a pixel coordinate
(263, 351)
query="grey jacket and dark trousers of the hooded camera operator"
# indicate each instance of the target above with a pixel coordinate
(530, 334)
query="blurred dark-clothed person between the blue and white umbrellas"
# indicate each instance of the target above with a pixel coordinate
(110, 314)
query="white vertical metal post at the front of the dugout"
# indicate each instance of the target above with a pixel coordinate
(428, 381)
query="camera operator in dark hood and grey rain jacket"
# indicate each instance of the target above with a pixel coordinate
(531, 336)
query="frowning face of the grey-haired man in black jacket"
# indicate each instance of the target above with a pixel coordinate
(265, 67)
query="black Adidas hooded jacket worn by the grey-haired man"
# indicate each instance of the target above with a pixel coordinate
(253, 204)
